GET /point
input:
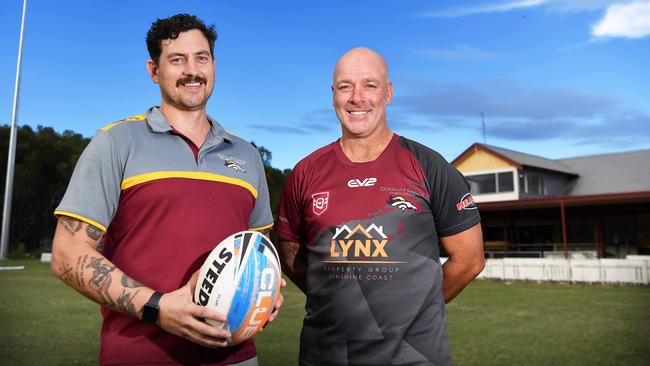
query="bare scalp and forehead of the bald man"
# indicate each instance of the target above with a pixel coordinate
(361, 60)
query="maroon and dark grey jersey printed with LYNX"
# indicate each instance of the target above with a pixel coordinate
(374, 281)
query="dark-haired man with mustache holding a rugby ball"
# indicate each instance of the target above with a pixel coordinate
(150, 197)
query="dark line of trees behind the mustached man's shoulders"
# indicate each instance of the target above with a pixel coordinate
(45, 160)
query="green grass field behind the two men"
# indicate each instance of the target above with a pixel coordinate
(42, 321)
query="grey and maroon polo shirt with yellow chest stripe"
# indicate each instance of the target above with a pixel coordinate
(164, 204)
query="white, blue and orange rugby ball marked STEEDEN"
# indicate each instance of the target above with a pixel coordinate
(240, 278)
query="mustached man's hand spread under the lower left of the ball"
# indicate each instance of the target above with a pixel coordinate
(179, 315)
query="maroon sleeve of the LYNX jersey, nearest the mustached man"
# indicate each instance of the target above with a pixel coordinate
(290, 214)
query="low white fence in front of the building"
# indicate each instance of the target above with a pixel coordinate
(632, 270)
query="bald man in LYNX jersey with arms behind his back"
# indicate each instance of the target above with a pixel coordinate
(360, 223)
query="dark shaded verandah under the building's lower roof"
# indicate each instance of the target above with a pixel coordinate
(602, 226)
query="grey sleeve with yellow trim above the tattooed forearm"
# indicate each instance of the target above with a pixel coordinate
(94, 190)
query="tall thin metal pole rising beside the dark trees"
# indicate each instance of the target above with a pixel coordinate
(11, 155)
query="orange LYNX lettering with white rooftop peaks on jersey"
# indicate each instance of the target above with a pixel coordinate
(371, 245)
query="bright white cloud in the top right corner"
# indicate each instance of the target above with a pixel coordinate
(630, 20)
